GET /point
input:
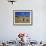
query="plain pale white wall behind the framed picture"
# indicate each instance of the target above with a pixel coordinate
(37, 31)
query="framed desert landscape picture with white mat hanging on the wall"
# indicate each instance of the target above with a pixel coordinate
(22, 17)
